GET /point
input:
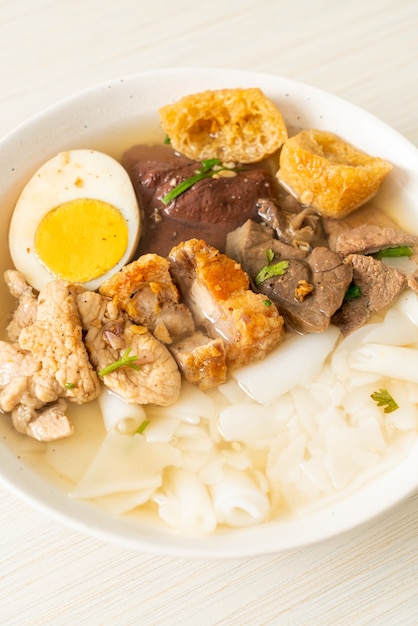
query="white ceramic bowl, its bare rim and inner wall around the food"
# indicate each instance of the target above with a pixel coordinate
(105, 117)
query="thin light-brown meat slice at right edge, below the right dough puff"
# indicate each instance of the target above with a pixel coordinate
(369, 238)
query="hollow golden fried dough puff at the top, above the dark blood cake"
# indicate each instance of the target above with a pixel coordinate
(238, 125)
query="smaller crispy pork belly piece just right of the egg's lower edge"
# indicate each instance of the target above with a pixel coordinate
(145, 290)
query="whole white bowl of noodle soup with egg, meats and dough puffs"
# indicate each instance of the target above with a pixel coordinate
(161, 390)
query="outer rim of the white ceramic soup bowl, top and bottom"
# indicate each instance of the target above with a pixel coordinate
(40, 494)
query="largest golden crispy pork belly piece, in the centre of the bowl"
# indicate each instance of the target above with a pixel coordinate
(216, 289)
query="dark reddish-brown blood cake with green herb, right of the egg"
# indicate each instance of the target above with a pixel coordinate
(211, 207)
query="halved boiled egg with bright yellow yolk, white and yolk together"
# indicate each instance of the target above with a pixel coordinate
(77, 218)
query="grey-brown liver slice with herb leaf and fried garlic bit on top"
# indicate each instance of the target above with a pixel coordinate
(312, 286)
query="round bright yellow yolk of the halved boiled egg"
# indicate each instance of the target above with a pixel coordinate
(82, 239)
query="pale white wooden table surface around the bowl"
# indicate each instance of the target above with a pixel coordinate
(366, 52)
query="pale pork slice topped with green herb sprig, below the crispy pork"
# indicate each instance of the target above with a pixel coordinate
(109, 334)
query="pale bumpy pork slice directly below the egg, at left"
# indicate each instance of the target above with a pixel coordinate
(55, 341)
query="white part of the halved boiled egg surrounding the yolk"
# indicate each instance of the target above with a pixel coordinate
(70, 175)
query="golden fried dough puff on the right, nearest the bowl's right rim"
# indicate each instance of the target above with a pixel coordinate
(323, 171)
